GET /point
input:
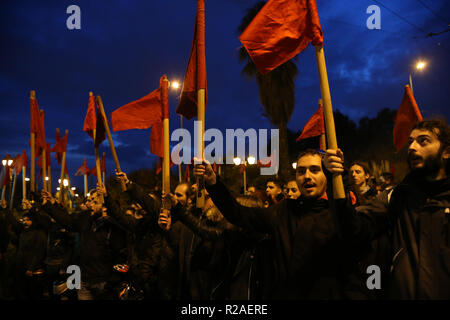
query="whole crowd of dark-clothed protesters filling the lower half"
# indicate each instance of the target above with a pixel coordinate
(291, 240)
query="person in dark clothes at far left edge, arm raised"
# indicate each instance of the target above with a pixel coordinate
(29, 269)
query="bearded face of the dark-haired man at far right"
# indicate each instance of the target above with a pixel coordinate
(424, 152)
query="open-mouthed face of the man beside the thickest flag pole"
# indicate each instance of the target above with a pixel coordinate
(310, 178)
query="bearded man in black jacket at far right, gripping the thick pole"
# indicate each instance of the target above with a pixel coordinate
(417, 216)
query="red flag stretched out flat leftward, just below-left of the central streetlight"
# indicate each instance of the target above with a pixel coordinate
(139, 114)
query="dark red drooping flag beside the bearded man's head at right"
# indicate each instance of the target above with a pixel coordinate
(407, 116)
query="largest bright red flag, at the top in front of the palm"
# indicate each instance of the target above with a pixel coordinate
(281, 30)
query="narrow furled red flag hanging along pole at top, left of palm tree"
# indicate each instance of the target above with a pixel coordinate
(195, 77)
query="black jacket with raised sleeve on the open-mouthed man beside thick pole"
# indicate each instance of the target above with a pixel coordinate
(306, 248)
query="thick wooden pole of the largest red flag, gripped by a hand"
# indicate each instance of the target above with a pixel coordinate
(338, 185)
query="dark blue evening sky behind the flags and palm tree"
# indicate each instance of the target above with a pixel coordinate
(124, 47)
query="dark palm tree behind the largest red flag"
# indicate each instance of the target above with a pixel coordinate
(276, 91)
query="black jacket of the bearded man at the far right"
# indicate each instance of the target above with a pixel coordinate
(417, 217)
